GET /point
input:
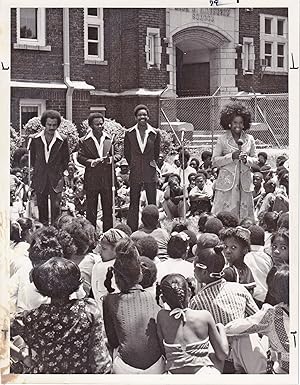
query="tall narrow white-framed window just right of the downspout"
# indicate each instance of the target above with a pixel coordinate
(94, 41)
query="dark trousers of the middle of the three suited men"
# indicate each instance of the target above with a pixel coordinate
(92, 206)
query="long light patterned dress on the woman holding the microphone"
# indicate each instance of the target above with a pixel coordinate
(233, 188)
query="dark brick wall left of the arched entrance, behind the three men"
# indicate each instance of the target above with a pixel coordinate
(124, 51)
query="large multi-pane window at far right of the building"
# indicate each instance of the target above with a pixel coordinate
(274, 43)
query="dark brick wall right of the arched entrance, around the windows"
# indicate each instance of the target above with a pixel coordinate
(249, 26)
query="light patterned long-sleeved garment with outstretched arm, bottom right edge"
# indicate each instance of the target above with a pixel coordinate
(272, 322)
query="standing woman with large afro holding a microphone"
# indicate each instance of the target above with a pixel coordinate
(234, 155)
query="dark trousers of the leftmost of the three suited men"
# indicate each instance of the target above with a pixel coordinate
(42, 203)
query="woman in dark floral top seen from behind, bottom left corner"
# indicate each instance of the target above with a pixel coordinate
(65, 336)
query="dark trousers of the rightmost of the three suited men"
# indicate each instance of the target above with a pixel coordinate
(135, 192)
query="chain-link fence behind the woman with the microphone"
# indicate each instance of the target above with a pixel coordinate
(270, 118)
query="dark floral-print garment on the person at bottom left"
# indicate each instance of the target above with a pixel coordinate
(66, 338)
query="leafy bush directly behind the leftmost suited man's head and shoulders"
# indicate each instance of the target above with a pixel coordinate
(66, 128)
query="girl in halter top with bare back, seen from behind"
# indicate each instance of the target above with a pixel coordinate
(185, 334)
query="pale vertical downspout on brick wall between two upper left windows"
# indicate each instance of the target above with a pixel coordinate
(66, 50)
